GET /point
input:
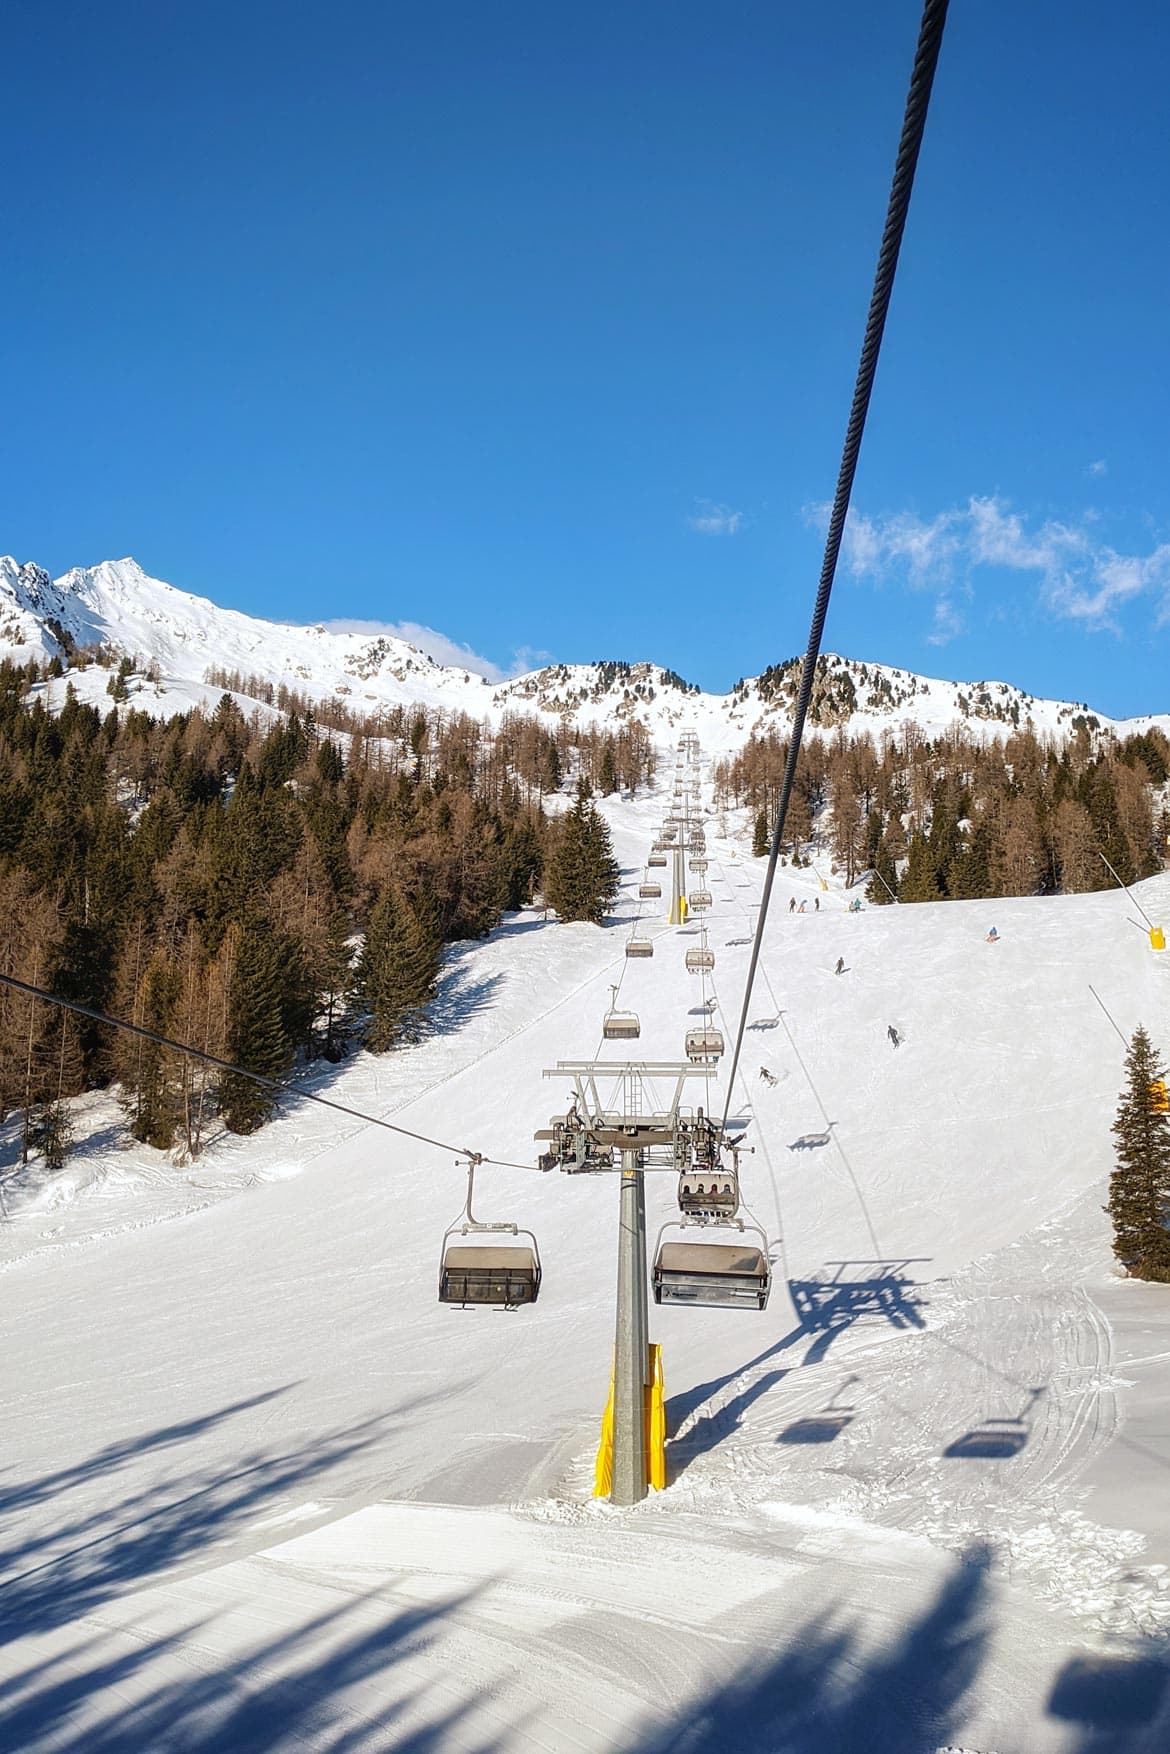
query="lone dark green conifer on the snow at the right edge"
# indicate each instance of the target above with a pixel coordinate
(1139, 1188)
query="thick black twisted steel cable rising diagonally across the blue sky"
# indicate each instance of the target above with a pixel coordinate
(915, 122)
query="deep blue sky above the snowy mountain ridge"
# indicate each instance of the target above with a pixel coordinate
(538, 325)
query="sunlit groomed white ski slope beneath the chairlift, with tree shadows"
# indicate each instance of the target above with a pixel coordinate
(260, 1492)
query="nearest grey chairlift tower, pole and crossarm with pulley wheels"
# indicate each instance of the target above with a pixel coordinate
(627, 1134)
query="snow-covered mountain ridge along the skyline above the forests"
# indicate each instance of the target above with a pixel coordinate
(120, 608)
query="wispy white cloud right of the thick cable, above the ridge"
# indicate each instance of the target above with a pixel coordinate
(1078, 576)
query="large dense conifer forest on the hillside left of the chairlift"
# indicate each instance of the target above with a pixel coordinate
(257, 887)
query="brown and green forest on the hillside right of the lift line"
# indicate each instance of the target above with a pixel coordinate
(964, 818)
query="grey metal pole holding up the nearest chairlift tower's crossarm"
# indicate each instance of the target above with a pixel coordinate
(632, 1341)
